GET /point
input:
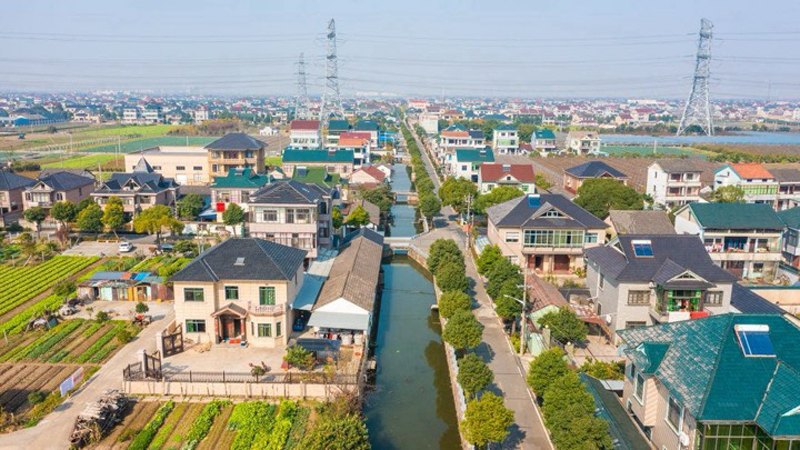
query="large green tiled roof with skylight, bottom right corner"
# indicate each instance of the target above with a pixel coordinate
(705, 369)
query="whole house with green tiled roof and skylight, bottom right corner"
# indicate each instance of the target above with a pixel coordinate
(727, 381)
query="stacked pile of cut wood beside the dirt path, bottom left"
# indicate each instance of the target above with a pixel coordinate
(99, 417)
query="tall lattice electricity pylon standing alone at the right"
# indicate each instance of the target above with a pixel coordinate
(698, 109)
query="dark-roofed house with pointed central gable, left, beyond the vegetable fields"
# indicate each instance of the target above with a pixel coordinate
(140, 189)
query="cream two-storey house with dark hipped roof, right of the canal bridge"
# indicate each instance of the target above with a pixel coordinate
(546, 233)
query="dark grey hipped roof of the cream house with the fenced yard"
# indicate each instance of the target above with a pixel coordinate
(263, 260)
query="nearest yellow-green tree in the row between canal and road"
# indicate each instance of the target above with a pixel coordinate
(486, 420)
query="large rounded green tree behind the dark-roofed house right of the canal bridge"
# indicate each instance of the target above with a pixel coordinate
(600, 195)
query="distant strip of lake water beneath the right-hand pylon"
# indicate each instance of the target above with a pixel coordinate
(743, 137)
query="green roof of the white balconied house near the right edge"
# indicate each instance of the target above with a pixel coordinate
(736, 216)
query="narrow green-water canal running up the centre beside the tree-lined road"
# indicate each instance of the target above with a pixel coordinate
(412, 405)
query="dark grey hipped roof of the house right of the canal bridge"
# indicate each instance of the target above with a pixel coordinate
(518, 212)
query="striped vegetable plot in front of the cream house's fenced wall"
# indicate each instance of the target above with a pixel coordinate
(214, 425)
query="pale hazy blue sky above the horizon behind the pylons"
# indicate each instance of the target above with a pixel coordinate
(498, 48)
